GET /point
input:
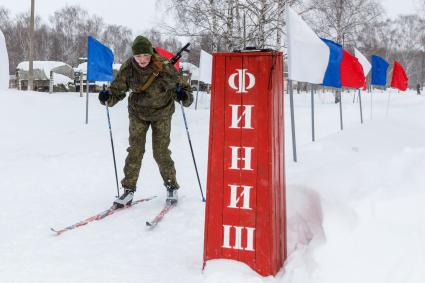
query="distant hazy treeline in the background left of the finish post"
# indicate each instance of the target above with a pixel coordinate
(64, 36)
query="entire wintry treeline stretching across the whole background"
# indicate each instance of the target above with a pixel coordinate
(224, 25)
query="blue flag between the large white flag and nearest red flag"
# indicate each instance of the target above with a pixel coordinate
(333, 71)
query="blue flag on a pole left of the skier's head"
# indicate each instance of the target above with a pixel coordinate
(99, 61)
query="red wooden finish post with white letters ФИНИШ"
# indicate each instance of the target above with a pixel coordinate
(245, 213)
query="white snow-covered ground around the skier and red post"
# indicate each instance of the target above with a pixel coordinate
(355, 197)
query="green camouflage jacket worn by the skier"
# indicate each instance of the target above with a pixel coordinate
(157, 101)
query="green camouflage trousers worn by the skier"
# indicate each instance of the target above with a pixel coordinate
(160, 141)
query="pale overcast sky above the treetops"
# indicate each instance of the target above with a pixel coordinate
(141, 14)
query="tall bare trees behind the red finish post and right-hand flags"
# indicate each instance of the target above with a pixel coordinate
(234, 24)
